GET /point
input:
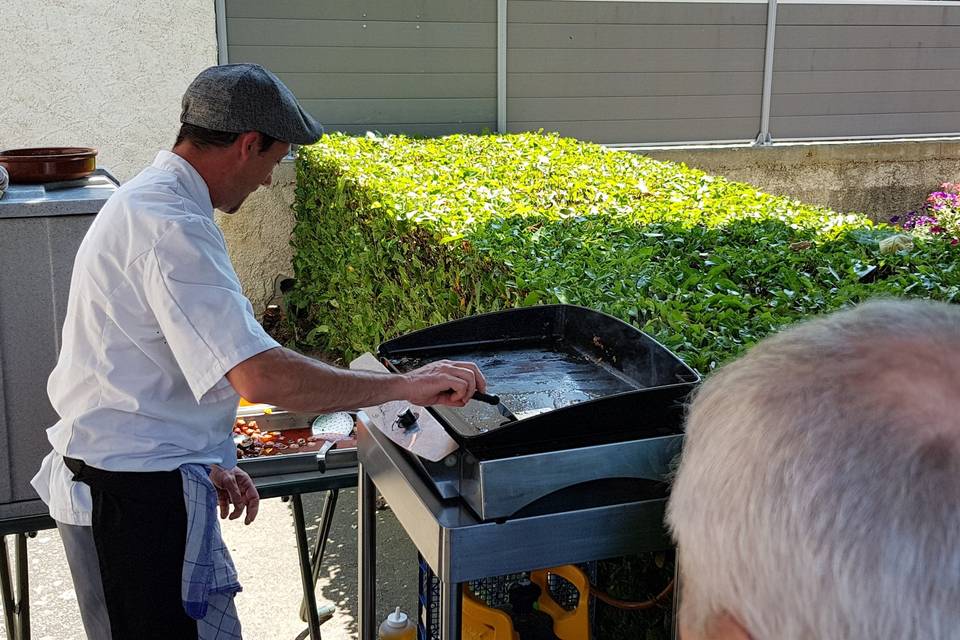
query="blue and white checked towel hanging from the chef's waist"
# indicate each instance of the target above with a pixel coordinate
(209, 579)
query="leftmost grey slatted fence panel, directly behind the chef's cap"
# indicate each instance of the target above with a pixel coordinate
(424, 67)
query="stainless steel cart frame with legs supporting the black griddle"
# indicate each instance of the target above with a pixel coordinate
(458, 547)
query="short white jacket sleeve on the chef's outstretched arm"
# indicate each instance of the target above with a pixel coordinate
(196, 297)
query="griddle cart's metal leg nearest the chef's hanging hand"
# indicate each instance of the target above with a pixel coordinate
(367, 555)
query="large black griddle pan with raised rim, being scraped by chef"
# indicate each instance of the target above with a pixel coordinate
(573, 377)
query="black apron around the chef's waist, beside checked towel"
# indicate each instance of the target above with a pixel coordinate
(140, 531)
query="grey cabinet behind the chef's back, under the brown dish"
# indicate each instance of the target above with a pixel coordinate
(40, 231)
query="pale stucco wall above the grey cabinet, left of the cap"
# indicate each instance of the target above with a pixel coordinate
(101, 74)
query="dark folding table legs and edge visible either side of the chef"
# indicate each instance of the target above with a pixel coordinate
(16, 598)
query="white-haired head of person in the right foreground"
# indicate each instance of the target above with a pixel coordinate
(819, 490)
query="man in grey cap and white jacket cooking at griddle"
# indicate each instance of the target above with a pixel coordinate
(159, 344)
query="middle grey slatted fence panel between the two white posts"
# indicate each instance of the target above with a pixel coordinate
(636, 71)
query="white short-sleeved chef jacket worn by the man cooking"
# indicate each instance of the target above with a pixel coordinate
(155, 319)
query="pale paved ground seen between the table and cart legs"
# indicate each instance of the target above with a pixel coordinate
(266, 556)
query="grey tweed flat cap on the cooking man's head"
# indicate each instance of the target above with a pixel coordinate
(246, 97)
